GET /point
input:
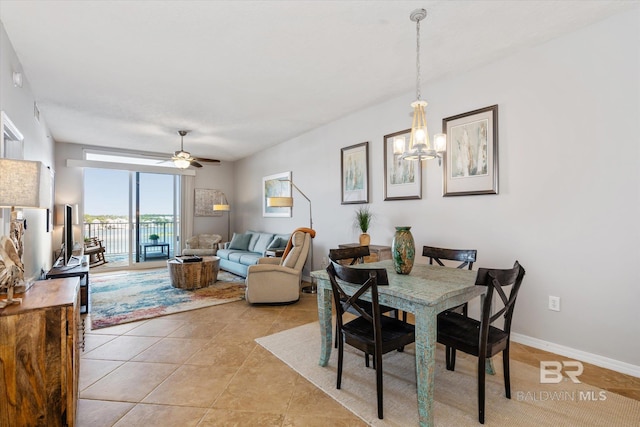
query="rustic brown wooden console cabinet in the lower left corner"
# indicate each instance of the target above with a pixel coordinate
(39, 356)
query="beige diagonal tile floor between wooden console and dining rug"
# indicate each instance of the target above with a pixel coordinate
(203, 368)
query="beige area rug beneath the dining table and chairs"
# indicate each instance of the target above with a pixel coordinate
(531, 404)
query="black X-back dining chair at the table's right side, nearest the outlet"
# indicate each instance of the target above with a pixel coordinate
(481, 338)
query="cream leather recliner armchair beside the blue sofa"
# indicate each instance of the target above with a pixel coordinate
(277, 280)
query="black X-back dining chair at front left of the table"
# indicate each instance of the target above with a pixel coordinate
(370, 332)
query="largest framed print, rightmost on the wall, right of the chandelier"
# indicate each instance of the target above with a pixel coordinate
(471, 161)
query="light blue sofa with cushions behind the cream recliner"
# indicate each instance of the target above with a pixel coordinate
(247, 248)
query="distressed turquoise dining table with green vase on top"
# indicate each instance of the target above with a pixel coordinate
(426, 291)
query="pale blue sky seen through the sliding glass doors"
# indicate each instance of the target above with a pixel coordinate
(106, 192)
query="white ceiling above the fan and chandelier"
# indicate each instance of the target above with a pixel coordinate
(246, 75)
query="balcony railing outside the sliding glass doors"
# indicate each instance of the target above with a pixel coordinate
(115, 235)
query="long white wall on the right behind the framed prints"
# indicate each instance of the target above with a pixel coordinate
(569, 197)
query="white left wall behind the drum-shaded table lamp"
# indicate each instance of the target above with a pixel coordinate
(18, 104)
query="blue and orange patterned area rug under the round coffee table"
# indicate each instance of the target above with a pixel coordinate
(136, 295)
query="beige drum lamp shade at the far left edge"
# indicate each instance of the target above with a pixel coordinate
(24, 184)
